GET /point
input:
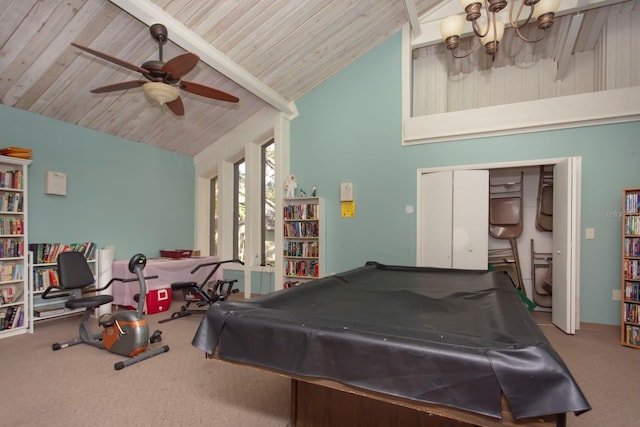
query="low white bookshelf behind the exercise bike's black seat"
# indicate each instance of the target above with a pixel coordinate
(43, 273)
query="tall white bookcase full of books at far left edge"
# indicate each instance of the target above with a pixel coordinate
(15, 311)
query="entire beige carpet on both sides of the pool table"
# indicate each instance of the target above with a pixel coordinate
(78, 386)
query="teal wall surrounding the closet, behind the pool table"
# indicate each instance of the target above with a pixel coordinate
(349, 130)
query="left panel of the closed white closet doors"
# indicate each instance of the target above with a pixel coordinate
(436, 210)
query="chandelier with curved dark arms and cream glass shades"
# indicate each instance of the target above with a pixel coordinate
(490, 29)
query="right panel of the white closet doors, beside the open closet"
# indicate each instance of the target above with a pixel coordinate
(470, 219)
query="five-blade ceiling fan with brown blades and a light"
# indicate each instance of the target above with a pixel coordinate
(164, 79)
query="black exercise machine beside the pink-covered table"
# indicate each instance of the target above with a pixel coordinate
(205, 293)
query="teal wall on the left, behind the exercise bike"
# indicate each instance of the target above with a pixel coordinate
(128, 195)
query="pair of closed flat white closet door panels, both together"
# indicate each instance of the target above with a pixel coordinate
(454, 219)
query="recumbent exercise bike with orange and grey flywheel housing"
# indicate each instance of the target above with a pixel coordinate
(124, 332)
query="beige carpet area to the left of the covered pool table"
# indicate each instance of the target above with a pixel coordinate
(78, 386)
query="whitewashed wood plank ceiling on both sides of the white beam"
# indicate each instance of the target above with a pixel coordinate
(289, 46)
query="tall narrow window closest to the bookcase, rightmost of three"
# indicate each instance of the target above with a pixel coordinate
(269, 202)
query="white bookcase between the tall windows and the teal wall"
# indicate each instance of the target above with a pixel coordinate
(303, 240)
